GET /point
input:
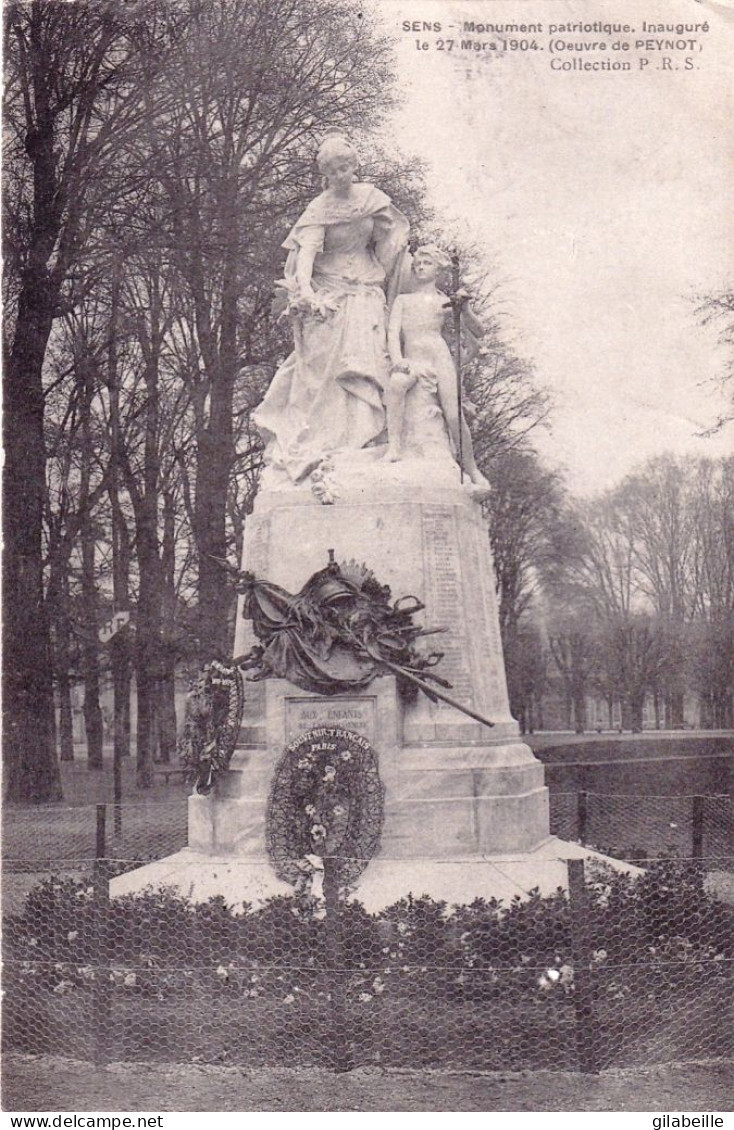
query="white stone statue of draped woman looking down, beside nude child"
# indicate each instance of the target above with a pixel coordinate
(345, 258)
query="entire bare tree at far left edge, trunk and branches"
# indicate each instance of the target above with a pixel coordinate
(72, 100)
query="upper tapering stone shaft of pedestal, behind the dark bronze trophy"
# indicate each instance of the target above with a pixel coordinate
(422, 537)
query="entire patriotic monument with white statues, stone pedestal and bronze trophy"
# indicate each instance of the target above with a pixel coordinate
(370, 482)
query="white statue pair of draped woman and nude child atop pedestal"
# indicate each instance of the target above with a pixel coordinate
(369, 352)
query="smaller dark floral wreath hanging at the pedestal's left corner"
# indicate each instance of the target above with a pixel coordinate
(214, 715)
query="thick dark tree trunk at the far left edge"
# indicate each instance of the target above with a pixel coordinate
(29, 709)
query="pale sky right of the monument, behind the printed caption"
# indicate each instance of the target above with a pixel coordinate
(604, 203)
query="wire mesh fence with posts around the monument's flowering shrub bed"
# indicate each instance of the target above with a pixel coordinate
(618, 969)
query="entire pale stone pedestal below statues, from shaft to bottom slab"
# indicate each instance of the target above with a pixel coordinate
(466, 804)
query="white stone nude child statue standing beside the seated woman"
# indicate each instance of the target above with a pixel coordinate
(420, 353)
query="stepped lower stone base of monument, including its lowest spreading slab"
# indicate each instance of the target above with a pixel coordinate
(461, 821)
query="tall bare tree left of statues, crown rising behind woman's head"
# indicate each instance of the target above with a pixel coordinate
(233, 159)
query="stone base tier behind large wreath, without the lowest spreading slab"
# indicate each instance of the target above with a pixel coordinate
(442, 799)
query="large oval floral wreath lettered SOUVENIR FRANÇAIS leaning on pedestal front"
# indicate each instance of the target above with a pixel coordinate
(326, 803)
